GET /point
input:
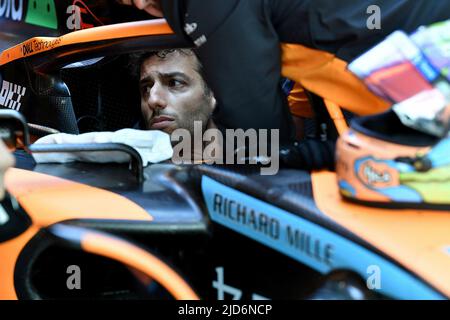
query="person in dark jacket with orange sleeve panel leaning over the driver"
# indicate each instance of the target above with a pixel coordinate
(246, 46)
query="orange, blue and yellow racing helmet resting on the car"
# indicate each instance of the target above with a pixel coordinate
(384, 163)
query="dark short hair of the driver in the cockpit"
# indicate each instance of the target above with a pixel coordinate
(137, 59)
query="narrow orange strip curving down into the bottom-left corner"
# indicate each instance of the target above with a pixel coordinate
(9, 253)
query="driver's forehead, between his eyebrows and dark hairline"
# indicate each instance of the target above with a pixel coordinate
(172, 63)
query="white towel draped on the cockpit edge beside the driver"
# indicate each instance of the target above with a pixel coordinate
(152, 146)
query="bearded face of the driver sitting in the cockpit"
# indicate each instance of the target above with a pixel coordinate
(173, 93)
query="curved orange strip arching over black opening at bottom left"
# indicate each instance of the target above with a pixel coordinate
(141, 260)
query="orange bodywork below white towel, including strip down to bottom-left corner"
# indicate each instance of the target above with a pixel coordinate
(49, 200)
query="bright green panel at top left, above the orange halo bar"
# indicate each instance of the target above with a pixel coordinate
(42, 13)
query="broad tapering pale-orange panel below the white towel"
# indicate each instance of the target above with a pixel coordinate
(49, 200)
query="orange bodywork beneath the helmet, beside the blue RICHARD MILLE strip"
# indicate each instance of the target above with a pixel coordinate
(417, 239)
